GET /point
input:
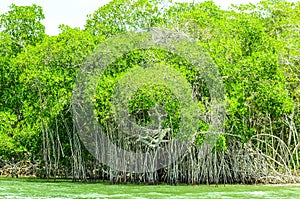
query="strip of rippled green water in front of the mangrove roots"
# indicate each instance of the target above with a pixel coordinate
(43, 189)
